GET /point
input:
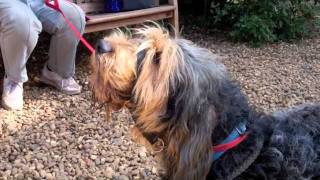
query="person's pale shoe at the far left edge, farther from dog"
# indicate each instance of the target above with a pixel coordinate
(12, 95)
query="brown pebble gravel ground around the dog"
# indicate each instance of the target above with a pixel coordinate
(67, 137)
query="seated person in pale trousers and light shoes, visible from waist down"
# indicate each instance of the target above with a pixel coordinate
(21, 21)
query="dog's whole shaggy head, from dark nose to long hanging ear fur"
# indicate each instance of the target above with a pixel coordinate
(169, 81)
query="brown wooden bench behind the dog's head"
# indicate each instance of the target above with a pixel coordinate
(99, 21)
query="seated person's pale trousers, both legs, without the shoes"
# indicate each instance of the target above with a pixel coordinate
(21, 21)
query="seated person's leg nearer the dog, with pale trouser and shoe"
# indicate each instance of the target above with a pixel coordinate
(64, 42)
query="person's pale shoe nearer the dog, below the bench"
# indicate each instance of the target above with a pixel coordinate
(68, 86)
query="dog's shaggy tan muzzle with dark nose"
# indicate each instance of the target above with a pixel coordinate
(114, 70)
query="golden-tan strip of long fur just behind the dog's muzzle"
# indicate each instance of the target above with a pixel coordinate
(157, 72)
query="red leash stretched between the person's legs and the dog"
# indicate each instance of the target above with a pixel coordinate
(56, 6)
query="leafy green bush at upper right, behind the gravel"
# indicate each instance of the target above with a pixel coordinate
(262, 21)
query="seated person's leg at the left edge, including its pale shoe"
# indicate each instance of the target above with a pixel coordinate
(19, 30)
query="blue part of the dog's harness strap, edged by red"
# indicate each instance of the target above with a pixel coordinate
(236, 133)
